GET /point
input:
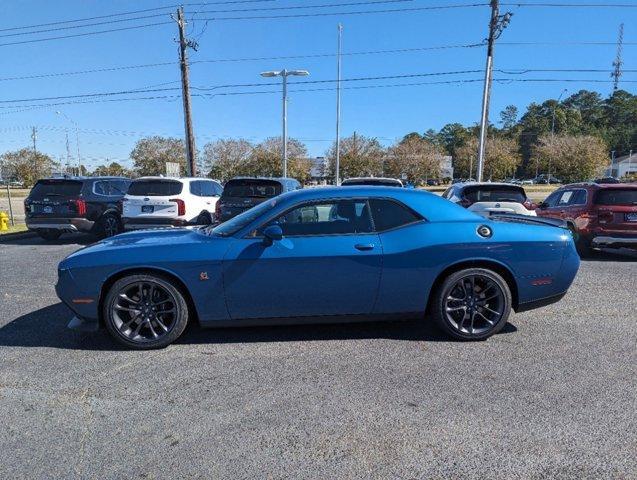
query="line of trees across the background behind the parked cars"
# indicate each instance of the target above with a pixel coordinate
(572, 139)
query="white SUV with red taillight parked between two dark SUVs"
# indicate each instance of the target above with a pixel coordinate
(170, 202)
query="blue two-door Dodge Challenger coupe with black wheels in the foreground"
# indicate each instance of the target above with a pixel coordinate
(321, 255)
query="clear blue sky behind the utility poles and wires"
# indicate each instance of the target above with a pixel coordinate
(109, 130)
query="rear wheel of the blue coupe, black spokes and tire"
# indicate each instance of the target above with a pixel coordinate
(472, 317)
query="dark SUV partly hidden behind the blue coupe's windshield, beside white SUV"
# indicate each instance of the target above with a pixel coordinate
(242, 193)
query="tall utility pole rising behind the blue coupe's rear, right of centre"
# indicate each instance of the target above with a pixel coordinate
(496, 25)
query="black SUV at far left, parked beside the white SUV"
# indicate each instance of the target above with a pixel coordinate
(75, 204)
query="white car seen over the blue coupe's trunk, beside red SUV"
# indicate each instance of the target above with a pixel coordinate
(491, 198)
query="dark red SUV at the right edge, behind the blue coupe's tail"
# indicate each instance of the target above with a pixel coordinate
(599, 215)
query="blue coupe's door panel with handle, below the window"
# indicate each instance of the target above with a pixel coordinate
(302, 276)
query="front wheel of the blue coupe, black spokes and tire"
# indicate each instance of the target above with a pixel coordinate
(124, 315)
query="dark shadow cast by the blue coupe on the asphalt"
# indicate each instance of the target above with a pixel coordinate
(46, 327)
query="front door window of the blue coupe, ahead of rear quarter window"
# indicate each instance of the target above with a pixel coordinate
(338, 217)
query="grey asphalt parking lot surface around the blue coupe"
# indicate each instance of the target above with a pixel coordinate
(553, 396)
